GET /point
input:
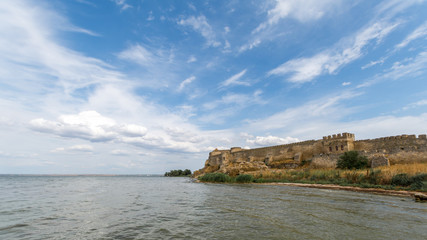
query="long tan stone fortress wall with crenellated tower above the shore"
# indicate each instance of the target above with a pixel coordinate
(321, 153)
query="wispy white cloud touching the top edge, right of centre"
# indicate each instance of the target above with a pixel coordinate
(300, 10)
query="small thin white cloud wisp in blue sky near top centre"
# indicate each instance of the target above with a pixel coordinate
(201, 25)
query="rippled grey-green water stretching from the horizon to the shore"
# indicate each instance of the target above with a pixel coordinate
(175, 208)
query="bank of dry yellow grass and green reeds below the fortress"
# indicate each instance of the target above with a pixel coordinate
(396, 177)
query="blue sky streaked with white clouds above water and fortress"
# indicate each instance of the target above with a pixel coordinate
(140, 87)
